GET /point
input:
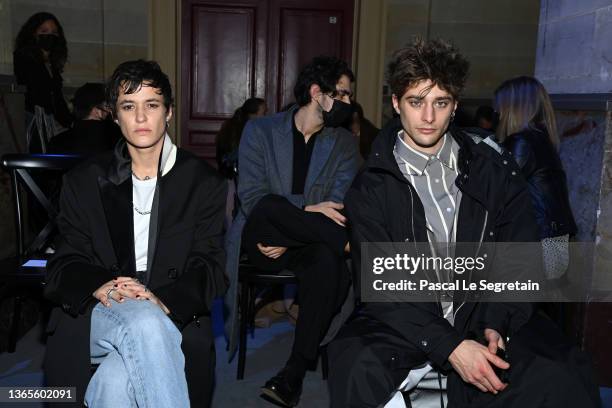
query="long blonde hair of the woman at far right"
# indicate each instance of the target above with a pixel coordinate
(523, 103)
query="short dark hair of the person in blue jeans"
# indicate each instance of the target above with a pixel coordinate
(132, 75)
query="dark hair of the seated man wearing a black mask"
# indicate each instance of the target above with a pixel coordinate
(323, 71)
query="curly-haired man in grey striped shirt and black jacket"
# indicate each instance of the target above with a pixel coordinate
(429, 182)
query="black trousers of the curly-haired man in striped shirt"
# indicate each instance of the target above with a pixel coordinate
(368, 360)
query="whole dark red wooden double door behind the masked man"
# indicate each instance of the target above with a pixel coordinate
(236, 49)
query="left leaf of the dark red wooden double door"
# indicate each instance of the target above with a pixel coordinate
(223, 63)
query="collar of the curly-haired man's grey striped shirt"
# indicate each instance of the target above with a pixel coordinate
(417, 161)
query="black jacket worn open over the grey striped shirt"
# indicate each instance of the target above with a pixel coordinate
(383, 206)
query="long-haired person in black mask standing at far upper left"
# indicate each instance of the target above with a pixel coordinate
(38, 62)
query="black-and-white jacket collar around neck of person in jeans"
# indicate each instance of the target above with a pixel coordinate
(120, 168)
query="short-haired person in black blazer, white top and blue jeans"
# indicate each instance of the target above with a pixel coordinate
(139, 261)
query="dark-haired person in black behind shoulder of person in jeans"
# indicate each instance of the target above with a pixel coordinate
(92, 131)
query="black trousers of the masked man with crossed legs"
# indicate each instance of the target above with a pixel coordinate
(315, 254)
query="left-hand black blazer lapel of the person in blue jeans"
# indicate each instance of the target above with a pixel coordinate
(117, 203)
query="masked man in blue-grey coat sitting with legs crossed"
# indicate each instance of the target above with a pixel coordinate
(293, 171)
